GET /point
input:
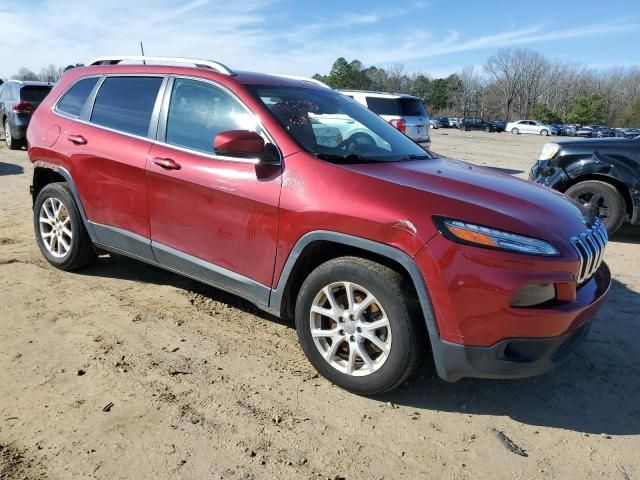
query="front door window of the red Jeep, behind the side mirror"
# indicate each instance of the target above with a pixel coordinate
(199, 111)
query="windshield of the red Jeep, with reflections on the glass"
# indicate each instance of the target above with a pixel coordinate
(335, 127)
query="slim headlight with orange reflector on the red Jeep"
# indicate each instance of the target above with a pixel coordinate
(481, 236)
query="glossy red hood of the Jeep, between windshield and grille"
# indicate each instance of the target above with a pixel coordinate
(463, 191)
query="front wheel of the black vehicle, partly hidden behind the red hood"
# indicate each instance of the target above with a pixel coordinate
(603, 200)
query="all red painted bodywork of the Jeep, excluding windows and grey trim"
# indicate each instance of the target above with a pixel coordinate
(247, 218)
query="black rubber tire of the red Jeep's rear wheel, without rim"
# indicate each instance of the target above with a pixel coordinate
(81, 252)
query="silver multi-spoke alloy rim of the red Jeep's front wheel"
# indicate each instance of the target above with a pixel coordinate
(350, 328)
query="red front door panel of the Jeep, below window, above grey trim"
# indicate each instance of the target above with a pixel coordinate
(220, 211)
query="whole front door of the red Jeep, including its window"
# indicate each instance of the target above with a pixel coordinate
(212, 217)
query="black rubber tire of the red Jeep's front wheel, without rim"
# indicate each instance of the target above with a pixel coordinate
(390, 290)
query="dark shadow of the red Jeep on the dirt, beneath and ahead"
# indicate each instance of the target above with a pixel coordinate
(596, 391)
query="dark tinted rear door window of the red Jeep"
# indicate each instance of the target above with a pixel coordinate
(126, 103)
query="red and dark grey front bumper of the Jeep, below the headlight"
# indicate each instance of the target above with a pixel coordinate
(480, 335)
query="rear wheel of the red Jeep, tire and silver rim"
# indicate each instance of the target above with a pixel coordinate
(60, 231)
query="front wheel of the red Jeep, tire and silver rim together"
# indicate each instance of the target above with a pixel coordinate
(358, 326)
